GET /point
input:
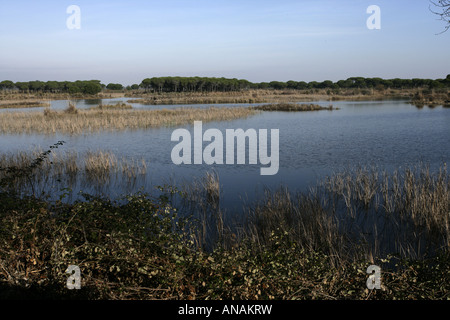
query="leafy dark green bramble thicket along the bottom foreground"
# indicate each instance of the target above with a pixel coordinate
(138, 248)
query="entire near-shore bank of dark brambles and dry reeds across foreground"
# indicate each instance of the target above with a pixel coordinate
(314, 245)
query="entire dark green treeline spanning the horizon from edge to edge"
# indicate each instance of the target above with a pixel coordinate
(211, 84)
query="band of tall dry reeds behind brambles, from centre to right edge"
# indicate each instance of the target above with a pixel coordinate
(363, 214)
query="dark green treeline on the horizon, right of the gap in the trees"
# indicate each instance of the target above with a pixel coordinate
(195, 84)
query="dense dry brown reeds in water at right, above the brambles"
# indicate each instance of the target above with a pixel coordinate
(361, 214)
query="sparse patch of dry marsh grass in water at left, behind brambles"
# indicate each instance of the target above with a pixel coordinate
(93, 169)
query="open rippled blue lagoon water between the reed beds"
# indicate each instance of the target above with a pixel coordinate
(386, 134)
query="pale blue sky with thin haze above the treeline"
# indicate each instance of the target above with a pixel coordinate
(258, 40)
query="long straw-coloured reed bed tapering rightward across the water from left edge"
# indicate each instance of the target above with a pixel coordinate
(72, 121)
